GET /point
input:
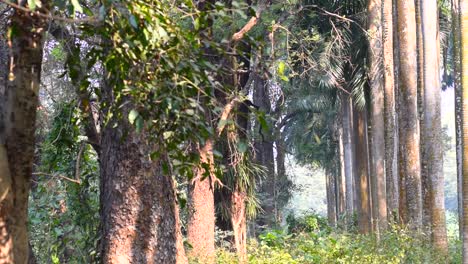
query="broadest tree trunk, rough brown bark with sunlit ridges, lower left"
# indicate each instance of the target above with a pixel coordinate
(139, 210)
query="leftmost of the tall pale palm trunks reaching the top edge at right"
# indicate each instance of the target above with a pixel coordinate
(379, 196)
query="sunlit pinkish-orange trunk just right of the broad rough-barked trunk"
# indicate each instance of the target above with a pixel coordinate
(201, 210)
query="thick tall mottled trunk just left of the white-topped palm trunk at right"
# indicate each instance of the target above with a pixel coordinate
(409, 158)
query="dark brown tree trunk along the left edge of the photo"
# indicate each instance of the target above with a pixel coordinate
(18, 103)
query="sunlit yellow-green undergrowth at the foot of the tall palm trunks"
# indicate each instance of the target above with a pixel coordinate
(309, 239)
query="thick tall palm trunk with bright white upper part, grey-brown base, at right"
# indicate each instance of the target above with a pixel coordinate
(432, 141)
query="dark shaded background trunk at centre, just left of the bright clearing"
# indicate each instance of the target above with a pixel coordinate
(264, 155)
